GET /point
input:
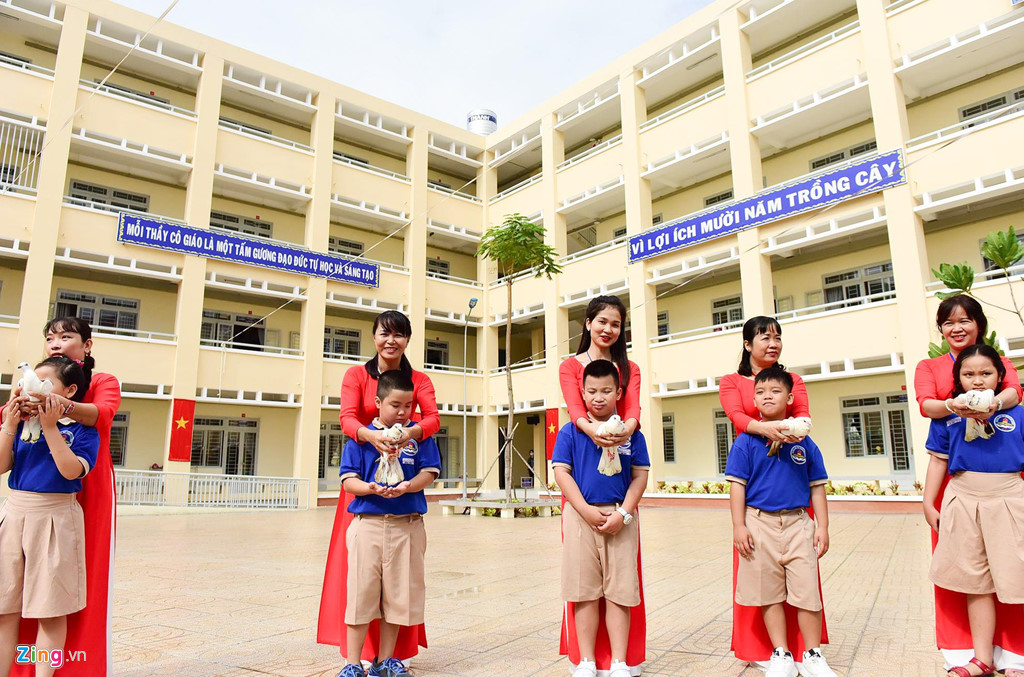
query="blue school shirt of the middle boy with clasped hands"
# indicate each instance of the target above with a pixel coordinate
(574, 450)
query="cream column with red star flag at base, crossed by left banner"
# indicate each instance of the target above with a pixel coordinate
(199, 199)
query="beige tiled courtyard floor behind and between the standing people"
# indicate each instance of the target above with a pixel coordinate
(238, 595)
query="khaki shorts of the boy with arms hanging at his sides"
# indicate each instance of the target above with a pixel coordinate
(785, 565)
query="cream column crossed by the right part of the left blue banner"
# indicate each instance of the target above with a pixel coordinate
(306, 458)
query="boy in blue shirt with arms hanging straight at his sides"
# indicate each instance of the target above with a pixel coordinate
(778, 541)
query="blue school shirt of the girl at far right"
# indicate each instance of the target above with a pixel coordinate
(1004, 452)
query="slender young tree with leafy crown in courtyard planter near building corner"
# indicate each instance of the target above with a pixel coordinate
(517, 245)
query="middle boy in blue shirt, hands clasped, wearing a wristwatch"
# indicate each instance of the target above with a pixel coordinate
(600, 531)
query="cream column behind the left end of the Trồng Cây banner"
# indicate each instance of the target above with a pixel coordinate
(644, 298)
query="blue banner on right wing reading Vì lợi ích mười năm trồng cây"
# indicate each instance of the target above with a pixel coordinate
(852, 181)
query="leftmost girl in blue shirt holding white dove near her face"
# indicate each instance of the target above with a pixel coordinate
(42, 530)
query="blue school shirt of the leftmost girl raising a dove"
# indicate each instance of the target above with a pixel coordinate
(35, 470)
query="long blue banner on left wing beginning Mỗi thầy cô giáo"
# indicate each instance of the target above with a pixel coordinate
(136, 230)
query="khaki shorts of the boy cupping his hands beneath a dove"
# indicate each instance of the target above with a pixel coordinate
(387, 570)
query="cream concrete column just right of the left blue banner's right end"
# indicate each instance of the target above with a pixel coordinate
(416, 244)
